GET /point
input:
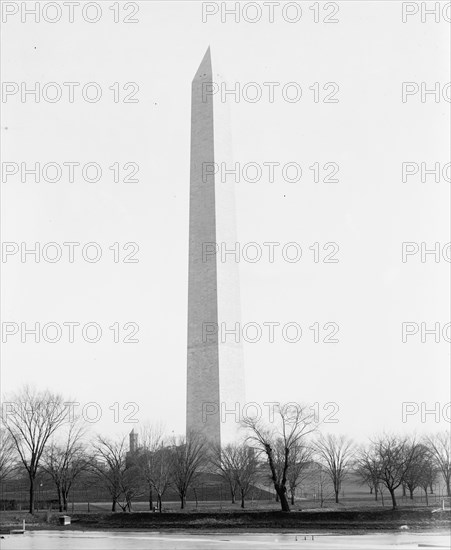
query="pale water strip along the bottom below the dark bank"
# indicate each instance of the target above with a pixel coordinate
(120, 540)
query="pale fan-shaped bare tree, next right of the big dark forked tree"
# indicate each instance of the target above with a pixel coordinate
(335, 453)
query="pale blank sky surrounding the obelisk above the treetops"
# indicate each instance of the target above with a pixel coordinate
(368, 213)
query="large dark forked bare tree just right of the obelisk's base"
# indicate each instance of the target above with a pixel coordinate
(278, 441)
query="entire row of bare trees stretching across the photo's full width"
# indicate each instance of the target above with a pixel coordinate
(39, 435)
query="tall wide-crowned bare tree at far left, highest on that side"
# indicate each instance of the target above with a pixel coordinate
(32, 417)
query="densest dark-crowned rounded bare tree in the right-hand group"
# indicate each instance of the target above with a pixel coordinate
(395, 455)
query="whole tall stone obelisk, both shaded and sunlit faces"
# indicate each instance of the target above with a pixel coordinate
(215, 378)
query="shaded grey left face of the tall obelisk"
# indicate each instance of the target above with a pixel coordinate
(203, 353)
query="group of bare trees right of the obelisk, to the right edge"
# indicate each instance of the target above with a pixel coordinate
(387, 462)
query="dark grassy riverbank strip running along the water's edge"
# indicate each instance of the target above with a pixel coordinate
(338, 522)
